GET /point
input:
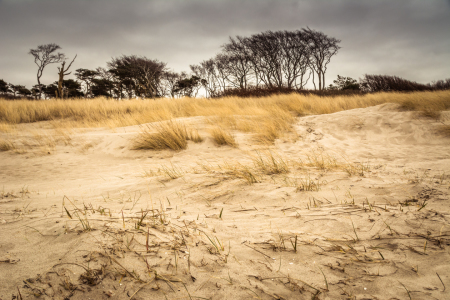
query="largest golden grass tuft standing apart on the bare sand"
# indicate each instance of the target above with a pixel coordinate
(169, 135)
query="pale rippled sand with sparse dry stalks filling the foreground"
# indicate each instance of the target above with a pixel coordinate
(363, 213)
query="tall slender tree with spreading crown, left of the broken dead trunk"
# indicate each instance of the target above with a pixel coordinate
(43, 56)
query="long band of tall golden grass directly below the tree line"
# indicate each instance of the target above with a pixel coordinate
(102, 112)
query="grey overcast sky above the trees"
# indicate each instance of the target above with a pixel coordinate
(407, 38)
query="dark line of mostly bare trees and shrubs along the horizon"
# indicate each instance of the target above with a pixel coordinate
(267, 62)
